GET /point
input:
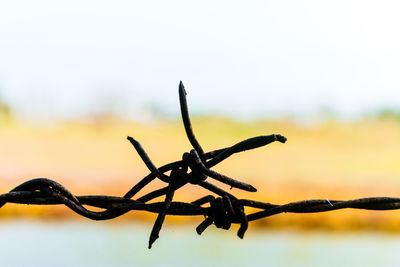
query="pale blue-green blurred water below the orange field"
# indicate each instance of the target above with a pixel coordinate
(114, 244)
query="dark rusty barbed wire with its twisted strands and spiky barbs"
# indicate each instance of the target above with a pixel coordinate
(194, 168)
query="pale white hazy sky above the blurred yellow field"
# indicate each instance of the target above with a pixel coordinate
(267, 57)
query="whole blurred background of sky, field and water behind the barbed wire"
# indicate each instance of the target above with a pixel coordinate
(77, 77)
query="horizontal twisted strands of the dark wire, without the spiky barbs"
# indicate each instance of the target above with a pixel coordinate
(39, 194)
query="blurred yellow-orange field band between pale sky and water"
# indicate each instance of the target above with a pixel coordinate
(333, 160)
